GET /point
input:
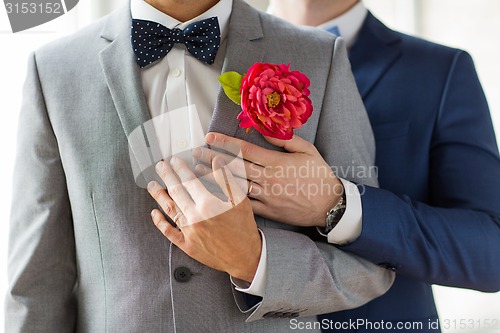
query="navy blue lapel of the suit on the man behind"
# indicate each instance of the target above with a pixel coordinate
(373, 53)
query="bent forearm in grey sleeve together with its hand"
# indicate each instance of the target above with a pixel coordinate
(304, 278)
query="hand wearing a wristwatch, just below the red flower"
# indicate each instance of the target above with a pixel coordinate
(296, 187)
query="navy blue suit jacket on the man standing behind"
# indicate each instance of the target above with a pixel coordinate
(436, 218)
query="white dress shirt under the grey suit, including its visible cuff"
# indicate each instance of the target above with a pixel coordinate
(181, 92)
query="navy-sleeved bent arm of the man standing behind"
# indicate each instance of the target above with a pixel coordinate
(457, 232)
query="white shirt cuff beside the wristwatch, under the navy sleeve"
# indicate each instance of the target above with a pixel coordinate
(349, 227)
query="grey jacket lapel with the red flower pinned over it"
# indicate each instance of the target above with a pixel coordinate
(244, 48)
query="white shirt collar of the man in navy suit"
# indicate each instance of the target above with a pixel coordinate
(349, 23)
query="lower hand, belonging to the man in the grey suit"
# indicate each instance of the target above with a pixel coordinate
(220, 234)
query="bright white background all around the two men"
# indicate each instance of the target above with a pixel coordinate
(470, 25)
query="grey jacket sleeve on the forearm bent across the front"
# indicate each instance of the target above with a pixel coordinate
(306, 278)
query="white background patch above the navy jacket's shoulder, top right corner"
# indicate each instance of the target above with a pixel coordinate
(470, 25)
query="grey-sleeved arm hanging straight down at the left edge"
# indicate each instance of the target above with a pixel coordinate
(41, 272)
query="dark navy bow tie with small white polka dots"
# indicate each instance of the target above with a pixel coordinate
(152, 41)
